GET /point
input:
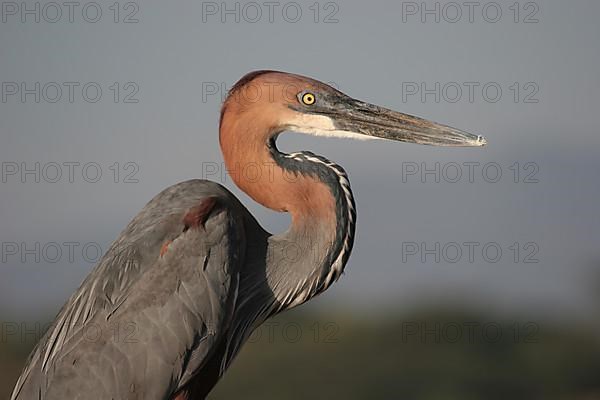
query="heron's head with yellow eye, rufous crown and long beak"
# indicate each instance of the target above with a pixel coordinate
(283, 101)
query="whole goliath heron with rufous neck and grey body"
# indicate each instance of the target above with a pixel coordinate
(193, 274)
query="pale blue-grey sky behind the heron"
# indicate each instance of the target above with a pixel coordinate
(371, 54)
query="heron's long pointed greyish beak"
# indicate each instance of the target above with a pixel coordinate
(368, 119)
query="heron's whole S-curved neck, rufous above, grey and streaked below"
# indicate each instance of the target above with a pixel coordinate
(312, 253)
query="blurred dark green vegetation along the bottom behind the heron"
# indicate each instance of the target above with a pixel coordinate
(428, 355)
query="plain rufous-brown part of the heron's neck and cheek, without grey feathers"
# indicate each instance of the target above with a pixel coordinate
(245, 133)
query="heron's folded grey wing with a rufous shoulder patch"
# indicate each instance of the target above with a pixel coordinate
(154, 308)
